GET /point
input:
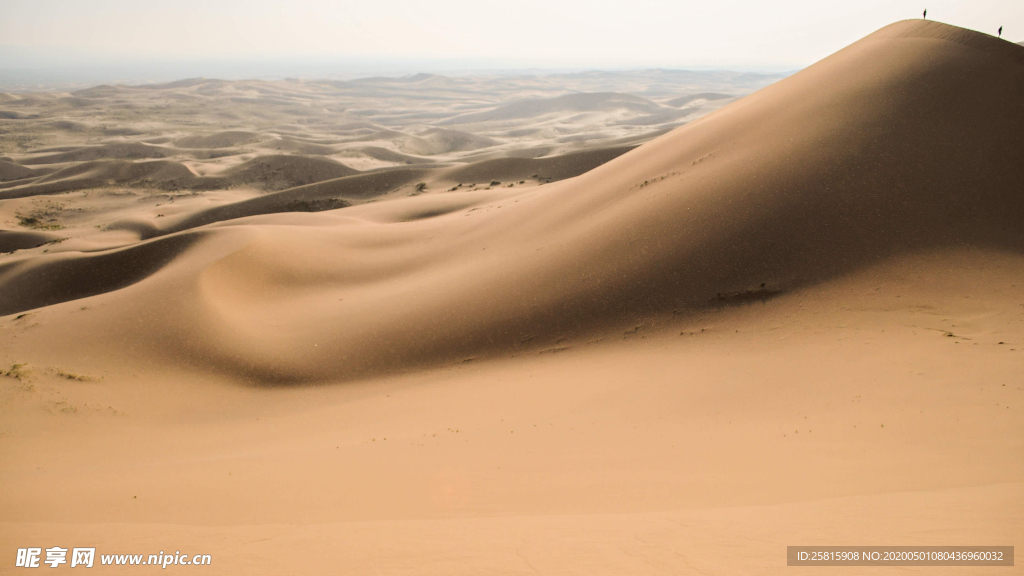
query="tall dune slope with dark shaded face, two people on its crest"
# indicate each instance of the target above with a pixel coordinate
(909, 140)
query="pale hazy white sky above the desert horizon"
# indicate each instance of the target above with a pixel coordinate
(540, 33)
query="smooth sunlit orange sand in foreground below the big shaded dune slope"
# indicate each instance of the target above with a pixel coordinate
(840, 415)
